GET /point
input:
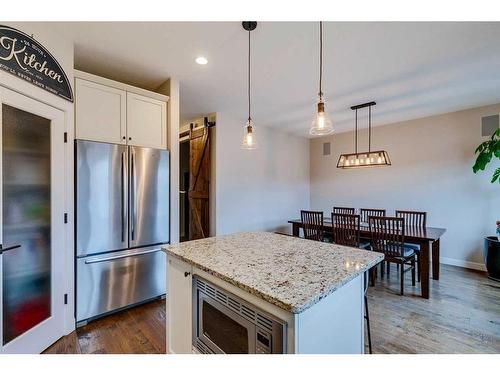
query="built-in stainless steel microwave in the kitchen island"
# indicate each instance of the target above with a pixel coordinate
(224, 323)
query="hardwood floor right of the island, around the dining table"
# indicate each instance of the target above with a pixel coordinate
(462, 314)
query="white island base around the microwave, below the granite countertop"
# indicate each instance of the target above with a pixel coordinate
(333, 325)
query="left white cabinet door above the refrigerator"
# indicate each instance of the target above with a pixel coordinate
(100, 112)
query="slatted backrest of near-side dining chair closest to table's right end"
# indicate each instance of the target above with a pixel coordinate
(388, 235)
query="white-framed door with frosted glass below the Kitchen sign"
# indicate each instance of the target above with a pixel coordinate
(32, 198)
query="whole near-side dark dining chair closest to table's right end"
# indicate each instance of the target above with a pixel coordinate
(388, 235)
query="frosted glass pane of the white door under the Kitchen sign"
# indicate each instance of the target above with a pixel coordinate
(26, 221)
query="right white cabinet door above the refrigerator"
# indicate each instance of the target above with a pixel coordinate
(146, 121)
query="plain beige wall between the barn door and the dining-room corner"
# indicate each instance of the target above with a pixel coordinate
(259, 189)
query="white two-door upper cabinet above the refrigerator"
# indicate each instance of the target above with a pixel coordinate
(113, 112)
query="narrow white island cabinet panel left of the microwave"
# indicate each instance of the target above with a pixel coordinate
(179, 310)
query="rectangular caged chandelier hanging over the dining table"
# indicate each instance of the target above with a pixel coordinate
(363, 159)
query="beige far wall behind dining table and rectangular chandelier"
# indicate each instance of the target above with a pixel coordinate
(431, 171)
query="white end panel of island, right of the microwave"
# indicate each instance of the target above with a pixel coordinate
(335, 324)
